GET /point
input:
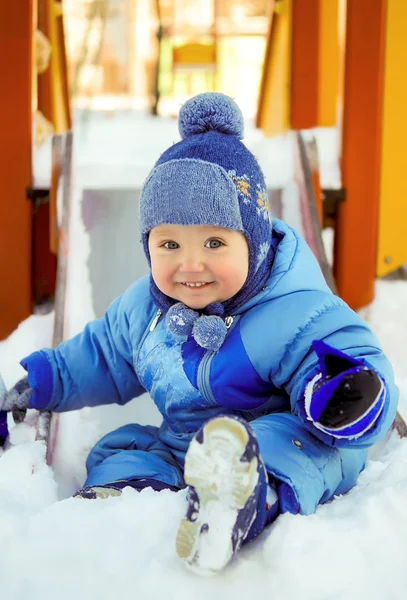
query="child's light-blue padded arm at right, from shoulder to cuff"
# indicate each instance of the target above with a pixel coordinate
(278, 338)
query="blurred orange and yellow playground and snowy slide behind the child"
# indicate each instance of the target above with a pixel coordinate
(92, 93)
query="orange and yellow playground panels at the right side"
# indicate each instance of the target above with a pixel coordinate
(338, 62)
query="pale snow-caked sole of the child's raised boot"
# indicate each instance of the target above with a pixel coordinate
(223, 483)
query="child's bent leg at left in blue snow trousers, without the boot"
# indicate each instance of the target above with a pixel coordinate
(132, 452)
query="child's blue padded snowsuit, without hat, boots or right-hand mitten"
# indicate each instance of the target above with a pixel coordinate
(259, 373)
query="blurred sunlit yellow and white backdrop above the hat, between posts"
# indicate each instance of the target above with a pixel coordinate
(156, 53)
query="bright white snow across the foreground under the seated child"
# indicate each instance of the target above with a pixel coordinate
(352, 548)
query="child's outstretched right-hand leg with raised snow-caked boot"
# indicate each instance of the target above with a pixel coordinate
(231, 473)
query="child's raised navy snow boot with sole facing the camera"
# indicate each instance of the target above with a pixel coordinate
(226, 496)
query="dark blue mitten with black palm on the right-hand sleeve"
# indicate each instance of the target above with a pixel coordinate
(347, 397)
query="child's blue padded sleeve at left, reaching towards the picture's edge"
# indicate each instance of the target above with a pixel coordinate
(96, 366)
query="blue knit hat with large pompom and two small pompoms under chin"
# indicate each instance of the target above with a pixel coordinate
(209, 178)
